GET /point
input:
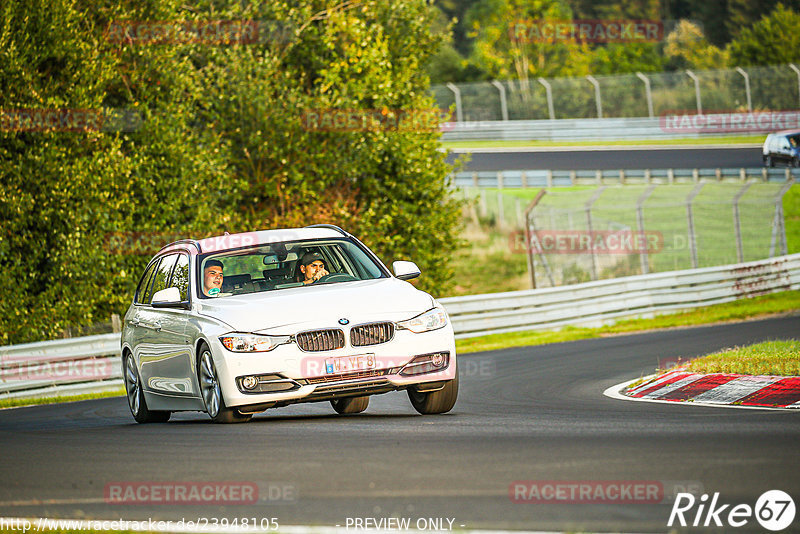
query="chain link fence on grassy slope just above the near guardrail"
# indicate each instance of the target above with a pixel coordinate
(593, 233)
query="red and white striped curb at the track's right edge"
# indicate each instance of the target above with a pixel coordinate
(718, 389)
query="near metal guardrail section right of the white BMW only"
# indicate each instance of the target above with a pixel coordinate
(596, 303)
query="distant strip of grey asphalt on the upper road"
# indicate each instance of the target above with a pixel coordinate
(621, 158)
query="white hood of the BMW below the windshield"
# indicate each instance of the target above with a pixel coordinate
(286, 311)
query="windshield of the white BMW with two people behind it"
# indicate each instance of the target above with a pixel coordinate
(284, 265)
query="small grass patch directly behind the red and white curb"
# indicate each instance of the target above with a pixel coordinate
(778, 358)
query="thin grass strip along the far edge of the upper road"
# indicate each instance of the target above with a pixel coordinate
(726, 140)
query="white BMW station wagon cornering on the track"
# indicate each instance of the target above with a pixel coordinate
(237, 324)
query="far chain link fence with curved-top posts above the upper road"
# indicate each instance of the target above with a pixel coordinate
(634, 95)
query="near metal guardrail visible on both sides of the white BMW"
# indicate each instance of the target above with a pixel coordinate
(92, 363)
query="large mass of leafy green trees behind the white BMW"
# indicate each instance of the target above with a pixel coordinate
(220, 144)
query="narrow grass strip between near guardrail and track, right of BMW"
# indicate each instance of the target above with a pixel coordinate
(788, 301)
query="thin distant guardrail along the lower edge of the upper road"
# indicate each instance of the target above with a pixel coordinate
(557, 178)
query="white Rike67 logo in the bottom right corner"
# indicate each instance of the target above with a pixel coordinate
(774, 510)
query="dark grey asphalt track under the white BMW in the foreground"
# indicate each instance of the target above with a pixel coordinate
(523, 414)
